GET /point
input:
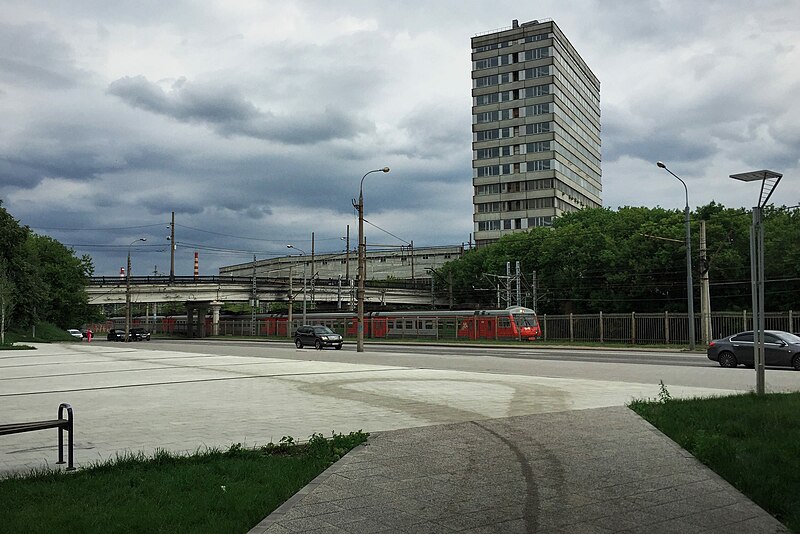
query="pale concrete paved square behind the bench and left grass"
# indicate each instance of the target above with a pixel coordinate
(128, 398)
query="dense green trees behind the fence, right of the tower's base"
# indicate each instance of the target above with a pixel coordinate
(633, 259)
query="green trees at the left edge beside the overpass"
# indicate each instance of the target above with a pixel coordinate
(40, 279)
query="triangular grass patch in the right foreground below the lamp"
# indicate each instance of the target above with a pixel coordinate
(749, 440)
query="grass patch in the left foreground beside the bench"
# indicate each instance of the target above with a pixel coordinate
(210, 491)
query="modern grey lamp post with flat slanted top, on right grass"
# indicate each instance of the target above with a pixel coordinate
(769, 181)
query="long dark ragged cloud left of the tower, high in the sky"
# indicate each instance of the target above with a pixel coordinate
(230, 114)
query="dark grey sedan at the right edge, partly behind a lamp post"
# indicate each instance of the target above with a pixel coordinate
(780, 349)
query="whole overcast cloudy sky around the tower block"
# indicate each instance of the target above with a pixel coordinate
(254, 120)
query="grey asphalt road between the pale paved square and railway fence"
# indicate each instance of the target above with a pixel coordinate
(623, 365)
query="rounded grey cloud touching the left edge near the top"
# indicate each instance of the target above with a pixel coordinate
(33, 55)
